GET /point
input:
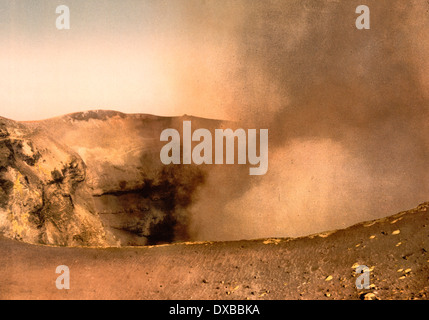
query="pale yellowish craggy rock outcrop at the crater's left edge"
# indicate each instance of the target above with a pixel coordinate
(43, 195)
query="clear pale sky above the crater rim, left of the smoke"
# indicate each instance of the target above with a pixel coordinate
(161, 57)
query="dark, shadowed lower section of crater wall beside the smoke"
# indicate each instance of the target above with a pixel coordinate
(152, 212)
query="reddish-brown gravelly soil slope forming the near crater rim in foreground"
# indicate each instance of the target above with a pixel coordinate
(259, 269)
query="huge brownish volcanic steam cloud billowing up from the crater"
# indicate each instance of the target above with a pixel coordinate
(347, 113)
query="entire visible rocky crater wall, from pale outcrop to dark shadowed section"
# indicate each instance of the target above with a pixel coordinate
(94, 179)
